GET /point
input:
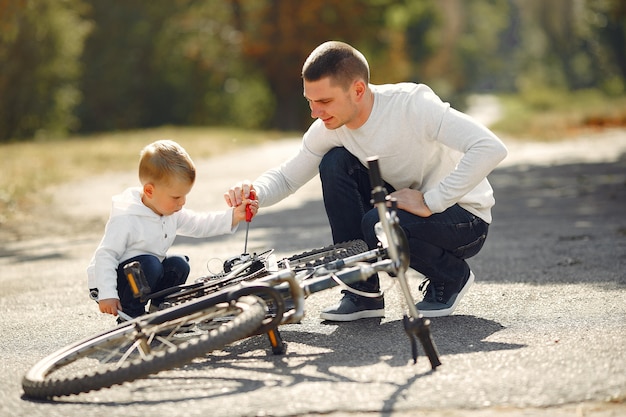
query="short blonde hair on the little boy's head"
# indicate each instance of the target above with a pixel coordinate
(163, 160)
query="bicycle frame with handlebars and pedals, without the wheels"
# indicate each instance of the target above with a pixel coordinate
(391, 257)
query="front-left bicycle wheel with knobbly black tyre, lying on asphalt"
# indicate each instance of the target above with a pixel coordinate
(142, 347)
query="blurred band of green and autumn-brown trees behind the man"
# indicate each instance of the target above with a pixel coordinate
(97, 65)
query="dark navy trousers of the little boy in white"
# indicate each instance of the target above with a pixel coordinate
(173, 271)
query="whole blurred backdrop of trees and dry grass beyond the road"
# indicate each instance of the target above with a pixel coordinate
(85, 84)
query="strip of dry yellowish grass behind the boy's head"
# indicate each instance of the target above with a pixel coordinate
(27, 168)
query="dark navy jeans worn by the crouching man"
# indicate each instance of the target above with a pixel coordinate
(439, 244)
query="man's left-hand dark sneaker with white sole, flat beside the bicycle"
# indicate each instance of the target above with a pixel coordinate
(353, 307)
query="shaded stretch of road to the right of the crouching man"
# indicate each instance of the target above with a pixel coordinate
(558, 224)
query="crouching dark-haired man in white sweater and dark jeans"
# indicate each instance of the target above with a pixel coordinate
(434, 161)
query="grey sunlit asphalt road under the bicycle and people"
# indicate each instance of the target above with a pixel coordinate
(542, 332)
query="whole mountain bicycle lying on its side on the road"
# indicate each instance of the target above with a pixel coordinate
(254, 295)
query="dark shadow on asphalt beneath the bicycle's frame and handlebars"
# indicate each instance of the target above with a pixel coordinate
(353, 344)
